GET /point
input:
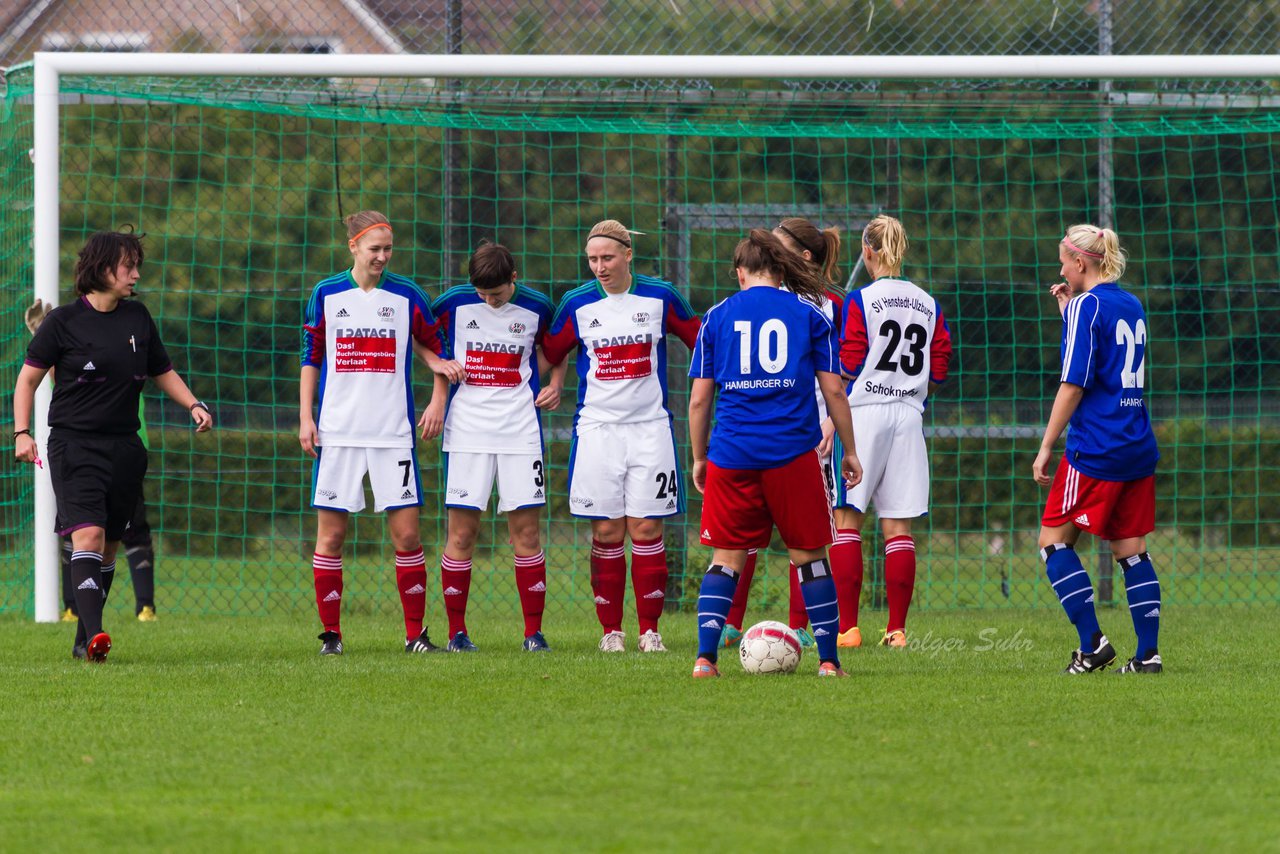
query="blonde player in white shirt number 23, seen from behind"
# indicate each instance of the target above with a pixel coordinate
(897, 349)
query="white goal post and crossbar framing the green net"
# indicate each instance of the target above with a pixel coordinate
(51, 67)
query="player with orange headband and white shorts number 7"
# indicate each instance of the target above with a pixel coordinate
(362, 330)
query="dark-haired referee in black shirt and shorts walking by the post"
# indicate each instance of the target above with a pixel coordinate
(102, 348)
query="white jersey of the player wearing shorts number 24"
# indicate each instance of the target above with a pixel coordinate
(623, 355)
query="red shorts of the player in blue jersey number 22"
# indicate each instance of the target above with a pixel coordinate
(1109, 509)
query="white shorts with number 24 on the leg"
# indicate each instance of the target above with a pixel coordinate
(619, 471)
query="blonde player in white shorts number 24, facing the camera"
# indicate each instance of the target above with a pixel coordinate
(624, 471)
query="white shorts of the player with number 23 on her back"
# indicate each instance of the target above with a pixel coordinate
(895, 464)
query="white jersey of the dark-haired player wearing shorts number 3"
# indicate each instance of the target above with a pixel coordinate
(493, 410)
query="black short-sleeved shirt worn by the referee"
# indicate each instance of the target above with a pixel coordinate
(100, 360)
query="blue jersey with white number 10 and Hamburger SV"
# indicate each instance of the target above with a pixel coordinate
(764, 348)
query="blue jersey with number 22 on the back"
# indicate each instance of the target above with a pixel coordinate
(1104, 351)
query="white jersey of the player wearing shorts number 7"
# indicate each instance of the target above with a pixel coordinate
(362, 344)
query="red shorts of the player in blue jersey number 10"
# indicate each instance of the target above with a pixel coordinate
(742, 506)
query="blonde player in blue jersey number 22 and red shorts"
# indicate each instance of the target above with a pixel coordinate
(1107, 479)
